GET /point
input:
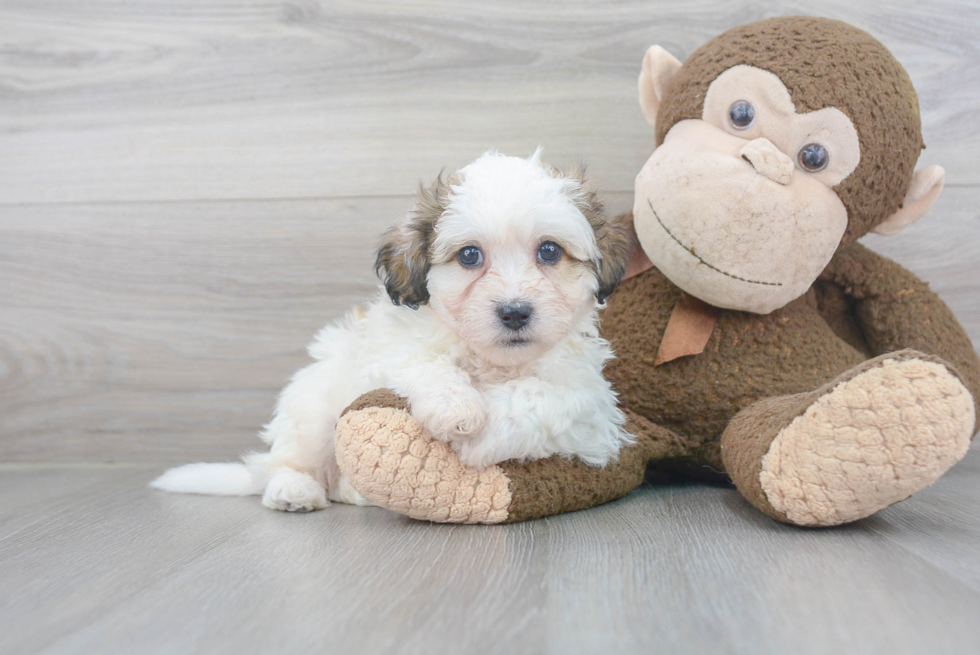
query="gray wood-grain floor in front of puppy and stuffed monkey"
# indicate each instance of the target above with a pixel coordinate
(91, 560)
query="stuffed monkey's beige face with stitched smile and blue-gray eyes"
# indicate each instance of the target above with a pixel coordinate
(739, 208)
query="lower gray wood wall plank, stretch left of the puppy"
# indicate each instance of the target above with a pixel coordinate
(131, 325)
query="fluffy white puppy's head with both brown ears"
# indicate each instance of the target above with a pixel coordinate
(511, 253)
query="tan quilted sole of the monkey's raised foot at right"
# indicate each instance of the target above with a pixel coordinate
(869, 441)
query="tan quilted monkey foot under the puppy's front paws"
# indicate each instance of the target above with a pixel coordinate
(395, 463)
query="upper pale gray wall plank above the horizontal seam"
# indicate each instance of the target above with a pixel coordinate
(107, 100)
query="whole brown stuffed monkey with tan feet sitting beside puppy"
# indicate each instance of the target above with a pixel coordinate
(755, 337)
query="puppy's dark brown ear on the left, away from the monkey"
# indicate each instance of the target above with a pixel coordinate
(404, 252)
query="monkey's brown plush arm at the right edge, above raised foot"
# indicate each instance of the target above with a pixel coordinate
(895, 310)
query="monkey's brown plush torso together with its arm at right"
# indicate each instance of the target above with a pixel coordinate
(793, 350)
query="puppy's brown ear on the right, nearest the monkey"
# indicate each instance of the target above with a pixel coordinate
(613, 237)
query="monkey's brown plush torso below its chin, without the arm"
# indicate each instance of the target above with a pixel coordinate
(748, 357)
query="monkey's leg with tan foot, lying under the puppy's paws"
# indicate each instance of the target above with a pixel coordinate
(393, 462)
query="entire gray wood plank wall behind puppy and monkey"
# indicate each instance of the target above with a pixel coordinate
(190, 188)
